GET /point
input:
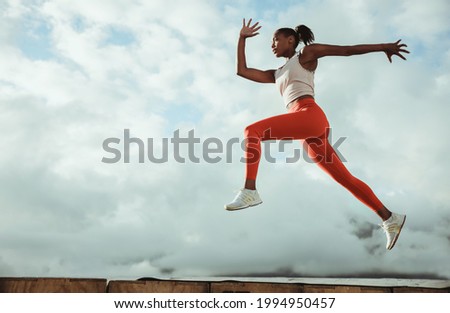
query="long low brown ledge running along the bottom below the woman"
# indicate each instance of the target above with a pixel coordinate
(222, 285)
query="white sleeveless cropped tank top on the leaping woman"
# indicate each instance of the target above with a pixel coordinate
(294, 81)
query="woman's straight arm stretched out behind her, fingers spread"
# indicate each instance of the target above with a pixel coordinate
(316, 51)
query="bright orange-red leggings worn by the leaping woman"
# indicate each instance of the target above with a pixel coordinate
(305, 121)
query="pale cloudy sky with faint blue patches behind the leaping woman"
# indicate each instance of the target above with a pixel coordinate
(75, 73)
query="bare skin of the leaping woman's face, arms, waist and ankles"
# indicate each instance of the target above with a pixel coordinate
(283, 46)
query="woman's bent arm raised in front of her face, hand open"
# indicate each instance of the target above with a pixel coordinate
(256, 75)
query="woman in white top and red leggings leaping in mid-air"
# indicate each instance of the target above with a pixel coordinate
(305, 120)
